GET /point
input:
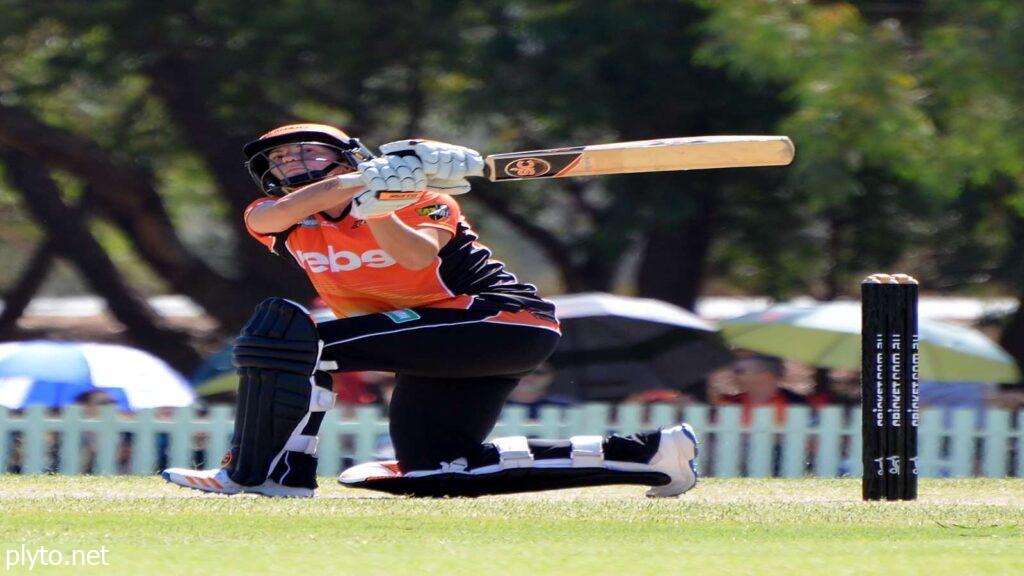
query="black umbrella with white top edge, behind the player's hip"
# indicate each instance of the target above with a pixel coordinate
(615, 346)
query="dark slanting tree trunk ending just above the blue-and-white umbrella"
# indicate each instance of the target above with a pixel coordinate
(72, 239)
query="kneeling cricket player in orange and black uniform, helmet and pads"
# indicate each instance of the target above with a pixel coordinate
(386, 245)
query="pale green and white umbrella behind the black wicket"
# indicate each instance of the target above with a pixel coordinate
(828, 336)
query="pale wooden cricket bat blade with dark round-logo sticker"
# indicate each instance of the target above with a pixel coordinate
(644, 156)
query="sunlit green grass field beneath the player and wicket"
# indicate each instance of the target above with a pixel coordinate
(733, 527)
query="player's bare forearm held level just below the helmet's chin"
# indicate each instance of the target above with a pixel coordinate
(272, 218)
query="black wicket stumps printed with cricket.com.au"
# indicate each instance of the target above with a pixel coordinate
(889, 386)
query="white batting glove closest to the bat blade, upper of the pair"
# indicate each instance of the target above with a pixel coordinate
(446, 166)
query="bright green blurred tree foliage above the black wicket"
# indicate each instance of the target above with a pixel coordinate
(910, 121)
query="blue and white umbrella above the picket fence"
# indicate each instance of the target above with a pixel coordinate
(55, 375)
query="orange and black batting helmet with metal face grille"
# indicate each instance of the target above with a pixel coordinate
(269, 174)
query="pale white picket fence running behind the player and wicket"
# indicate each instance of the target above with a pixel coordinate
(823, 443)
